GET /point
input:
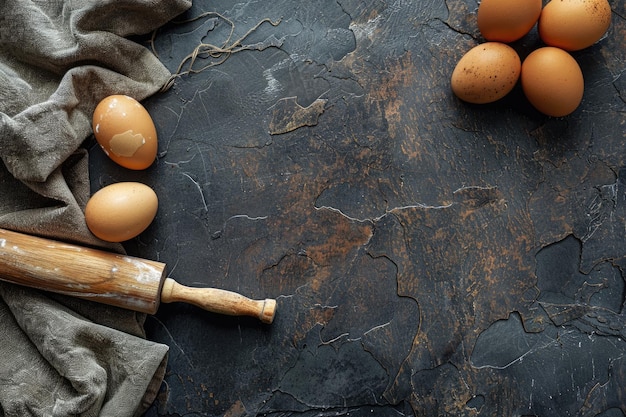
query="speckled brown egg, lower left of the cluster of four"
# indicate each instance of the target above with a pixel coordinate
(486, 73)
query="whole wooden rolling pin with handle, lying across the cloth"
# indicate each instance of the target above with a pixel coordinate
(114, 279)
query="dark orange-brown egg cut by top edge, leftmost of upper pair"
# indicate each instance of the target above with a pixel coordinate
(507, 20)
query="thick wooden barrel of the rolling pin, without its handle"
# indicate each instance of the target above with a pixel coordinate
(104, 277)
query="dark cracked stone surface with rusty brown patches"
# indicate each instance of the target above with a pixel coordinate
(429, 257)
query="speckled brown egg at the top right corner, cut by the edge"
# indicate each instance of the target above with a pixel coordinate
(574, 24)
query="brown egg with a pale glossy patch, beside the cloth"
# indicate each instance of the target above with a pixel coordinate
(125, 132)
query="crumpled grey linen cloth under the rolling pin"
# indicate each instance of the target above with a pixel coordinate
(61, 356)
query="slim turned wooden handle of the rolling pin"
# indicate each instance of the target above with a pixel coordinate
(219, 301)
